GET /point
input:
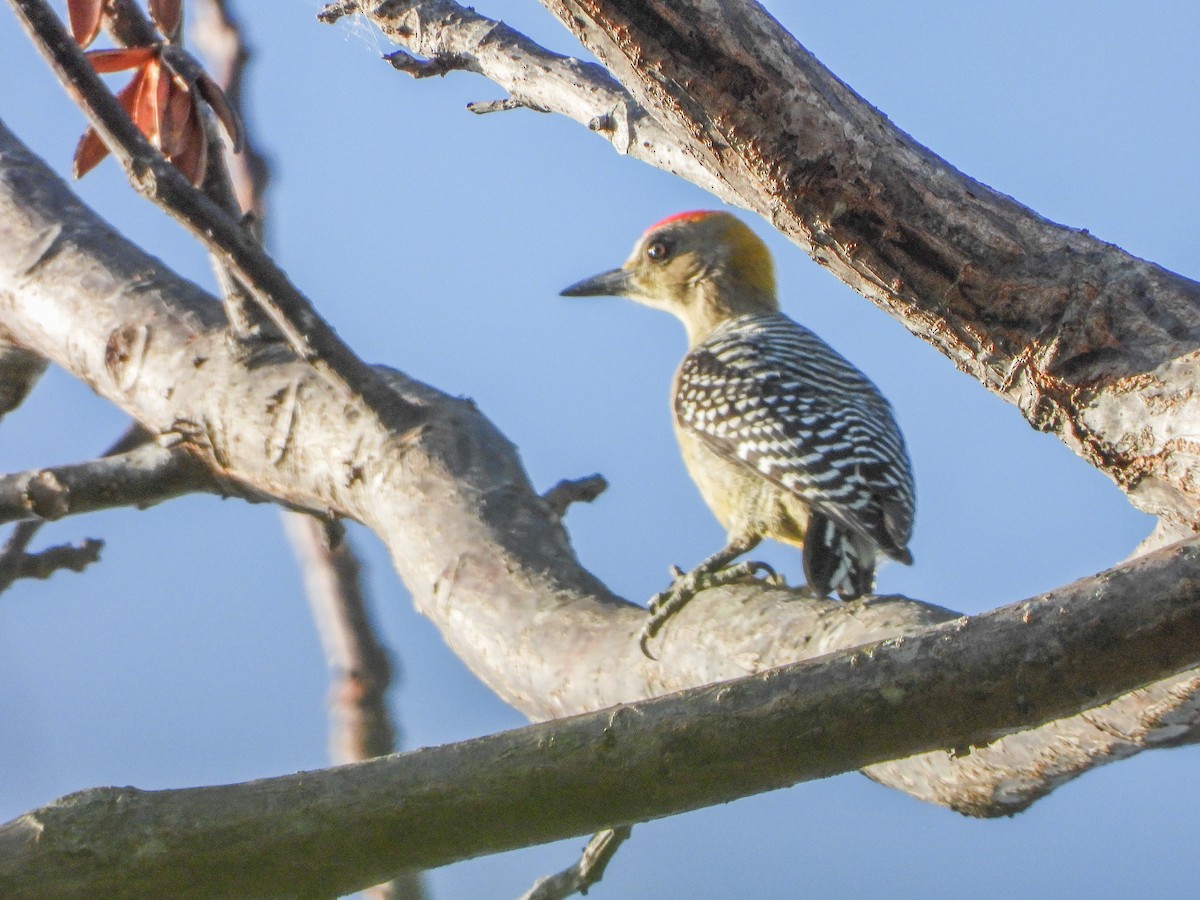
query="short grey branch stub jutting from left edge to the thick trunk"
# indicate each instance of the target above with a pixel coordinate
(140, 478)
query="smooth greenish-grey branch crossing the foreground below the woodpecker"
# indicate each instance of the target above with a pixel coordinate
(961, 685)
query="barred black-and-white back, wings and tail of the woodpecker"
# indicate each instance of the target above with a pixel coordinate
(771, 395)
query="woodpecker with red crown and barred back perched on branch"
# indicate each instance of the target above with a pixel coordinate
(784, 437)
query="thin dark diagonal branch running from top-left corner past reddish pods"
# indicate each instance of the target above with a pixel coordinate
(153, 177)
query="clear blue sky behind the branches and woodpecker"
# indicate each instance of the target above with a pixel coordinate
(437, 242)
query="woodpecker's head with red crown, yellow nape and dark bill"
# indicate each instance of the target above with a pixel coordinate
(703, 267)
